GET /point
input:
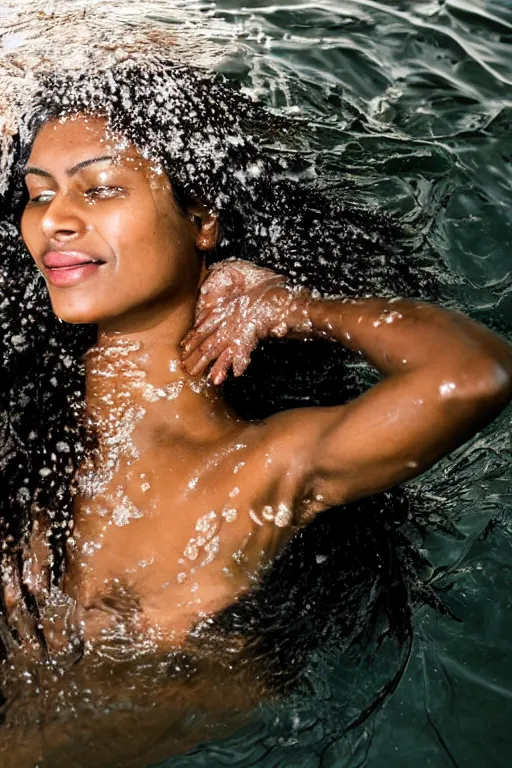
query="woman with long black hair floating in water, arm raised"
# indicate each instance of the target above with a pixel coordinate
(142, 543)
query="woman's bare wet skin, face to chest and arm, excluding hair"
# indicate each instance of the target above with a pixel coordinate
(153, 557)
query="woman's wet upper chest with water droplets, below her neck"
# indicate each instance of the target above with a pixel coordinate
(179, 531)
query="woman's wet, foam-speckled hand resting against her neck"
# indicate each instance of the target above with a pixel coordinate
(239, 305)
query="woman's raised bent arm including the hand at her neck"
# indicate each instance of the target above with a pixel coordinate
(445, 377)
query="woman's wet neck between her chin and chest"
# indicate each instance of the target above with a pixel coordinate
(139, 367)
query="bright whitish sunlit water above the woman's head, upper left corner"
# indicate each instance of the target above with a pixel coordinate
(90, 35)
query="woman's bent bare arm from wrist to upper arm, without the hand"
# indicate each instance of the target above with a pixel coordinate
(445, 377)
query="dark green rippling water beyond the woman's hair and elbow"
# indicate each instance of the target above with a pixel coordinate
(413, 102)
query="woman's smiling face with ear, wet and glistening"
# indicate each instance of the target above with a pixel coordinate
(103, 227)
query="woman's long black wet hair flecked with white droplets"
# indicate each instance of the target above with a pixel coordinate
(352, 577)
